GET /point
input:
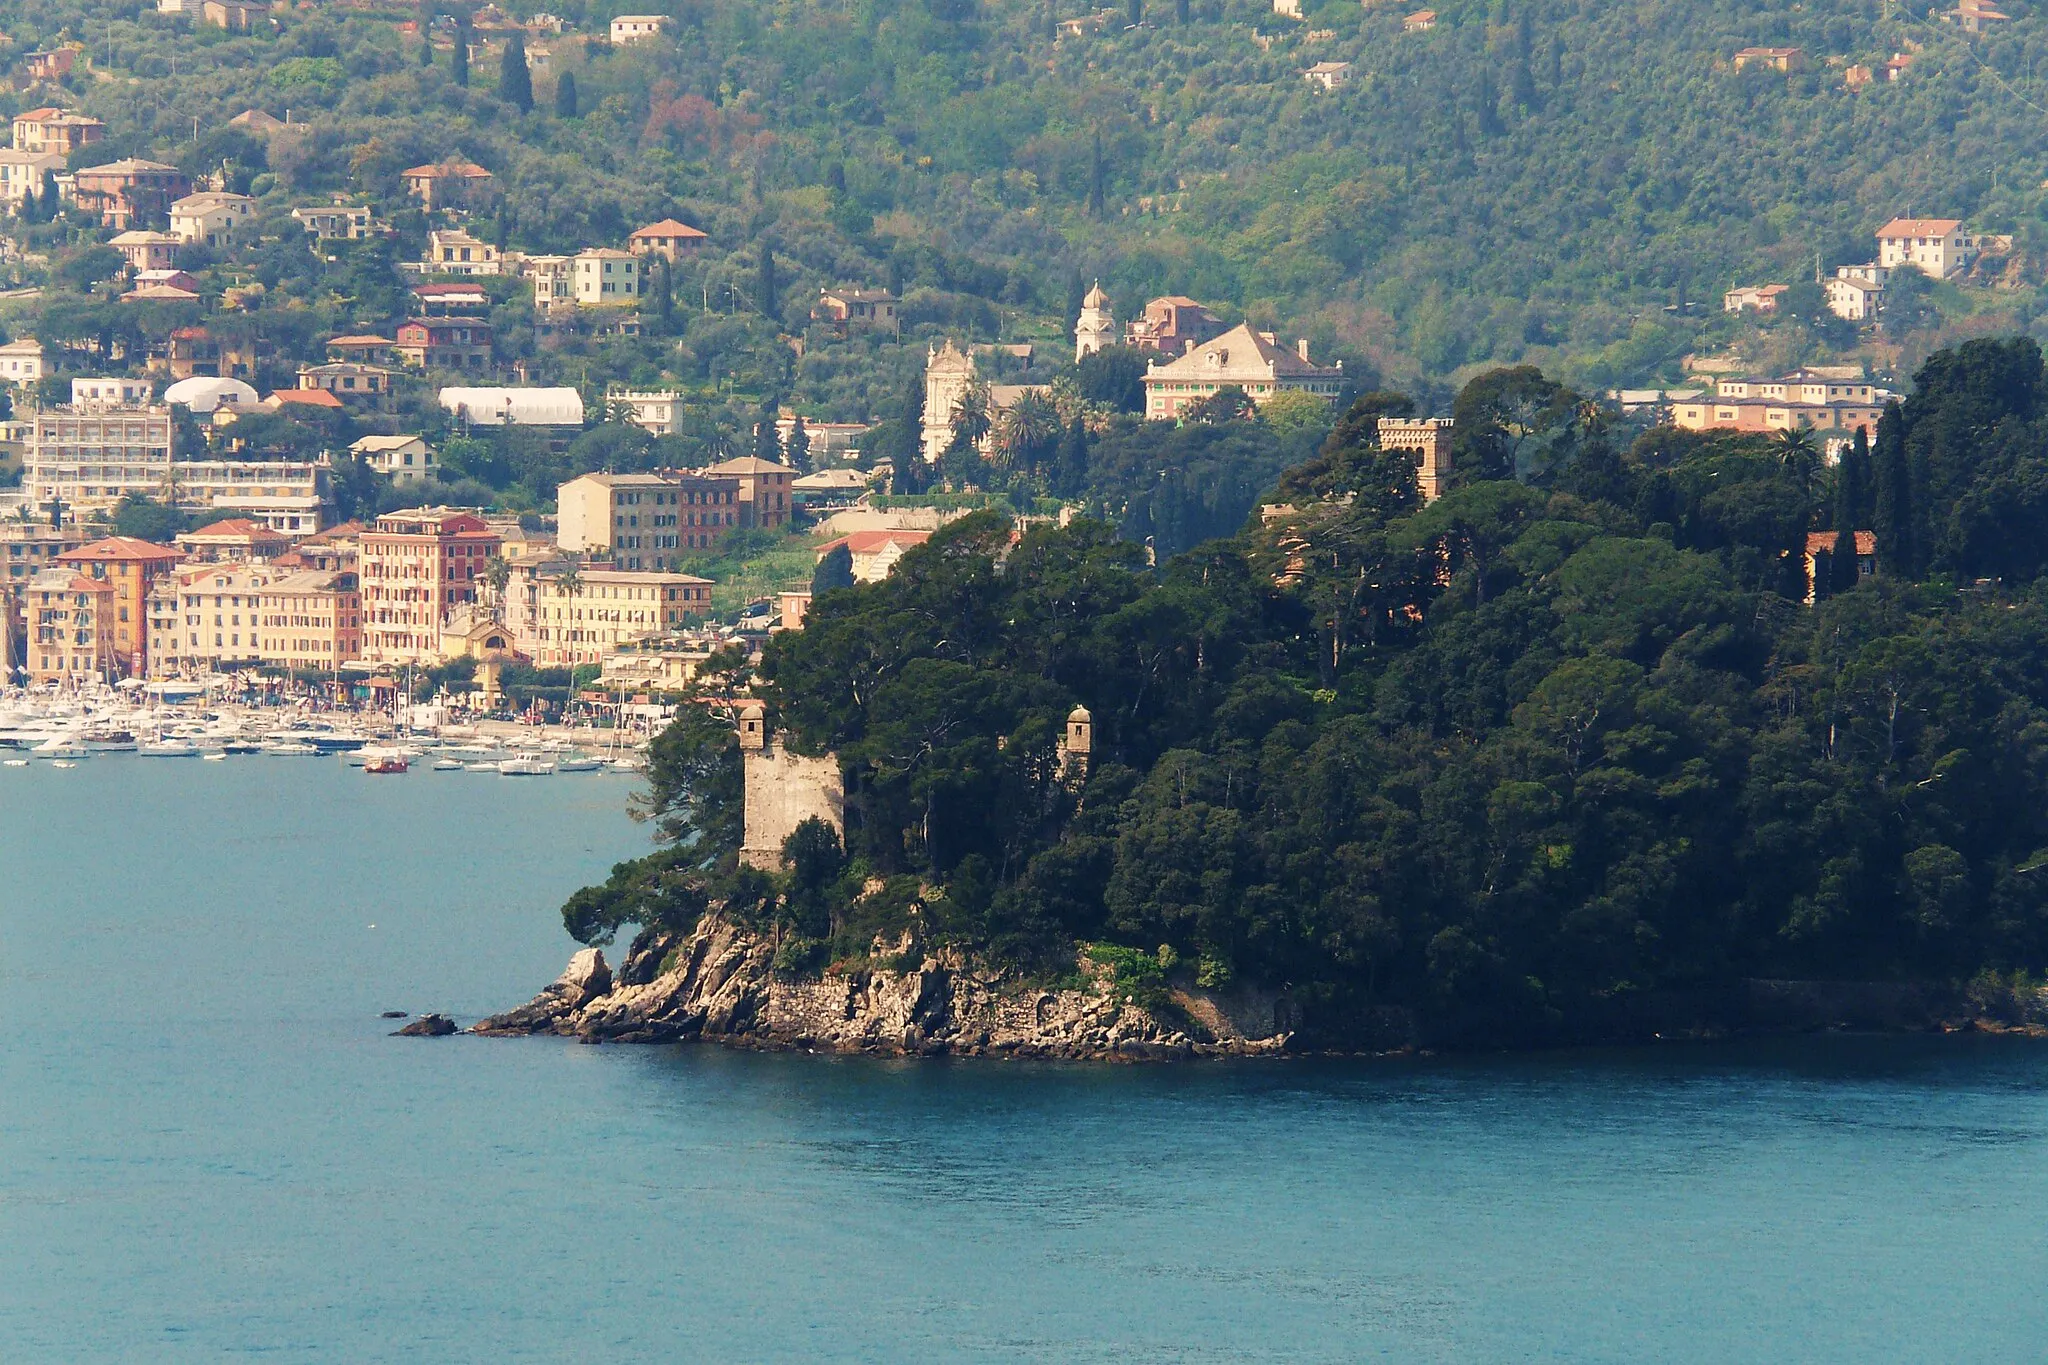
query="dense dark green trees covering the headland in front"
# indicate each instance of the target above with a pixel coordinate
(1568, 734)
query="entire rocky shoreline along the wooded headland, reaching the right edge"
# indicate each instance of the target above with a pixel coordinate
(718, 983)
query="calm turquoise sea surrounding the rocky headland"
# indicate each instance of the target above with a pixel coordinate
(210, 1149)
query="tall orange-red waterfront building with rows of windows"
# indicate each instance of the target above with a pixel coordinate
(417, 568)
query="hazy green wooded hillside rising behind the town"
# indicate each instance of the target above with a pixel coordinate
(1533, 181)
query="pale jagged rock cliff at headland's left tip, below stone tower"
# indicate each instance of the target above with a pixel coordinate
(718, 983)
